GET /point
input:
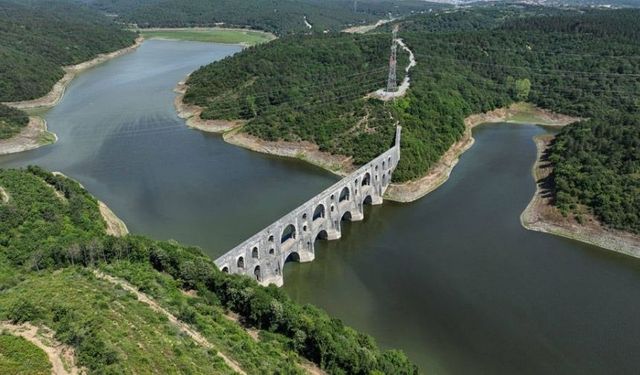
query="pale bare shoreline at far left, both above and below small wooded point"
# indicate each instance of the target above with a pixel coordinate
(35, 134)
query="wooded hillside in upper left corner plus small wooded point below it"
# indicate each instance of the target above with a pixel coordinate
(37, 40)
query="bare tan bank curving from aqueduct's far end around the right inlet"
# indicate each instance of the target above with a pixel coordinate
(439, 173)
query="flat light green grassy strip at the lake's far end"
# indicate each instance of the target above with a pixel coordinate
(211, 35)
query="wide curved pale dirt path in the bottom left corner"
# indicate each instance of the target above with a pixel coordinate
(62, 357)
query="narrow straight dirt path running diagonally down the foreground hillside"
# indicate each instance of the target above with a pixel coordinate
(195, 335)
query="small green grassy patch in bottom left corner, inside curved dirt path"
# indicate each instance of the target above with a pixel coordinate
(20, 357)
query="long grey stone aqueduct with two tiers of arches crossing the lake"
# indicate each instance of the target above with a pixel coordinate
(292, 237)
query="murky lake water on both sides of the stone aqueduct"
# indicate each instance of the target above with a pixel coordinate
(452, 279)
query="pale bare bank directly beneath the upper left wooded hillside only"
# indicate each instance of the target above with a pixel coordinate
(57, 92)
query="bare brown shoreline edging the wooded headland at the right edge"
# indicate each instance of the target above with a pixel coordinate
(541, 216)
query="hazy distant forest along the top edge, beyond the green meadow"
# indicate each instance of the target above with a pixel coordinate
(278, 16)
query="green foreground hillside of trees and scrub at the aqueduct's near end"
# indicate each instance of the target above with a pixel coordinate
(52, 238)
